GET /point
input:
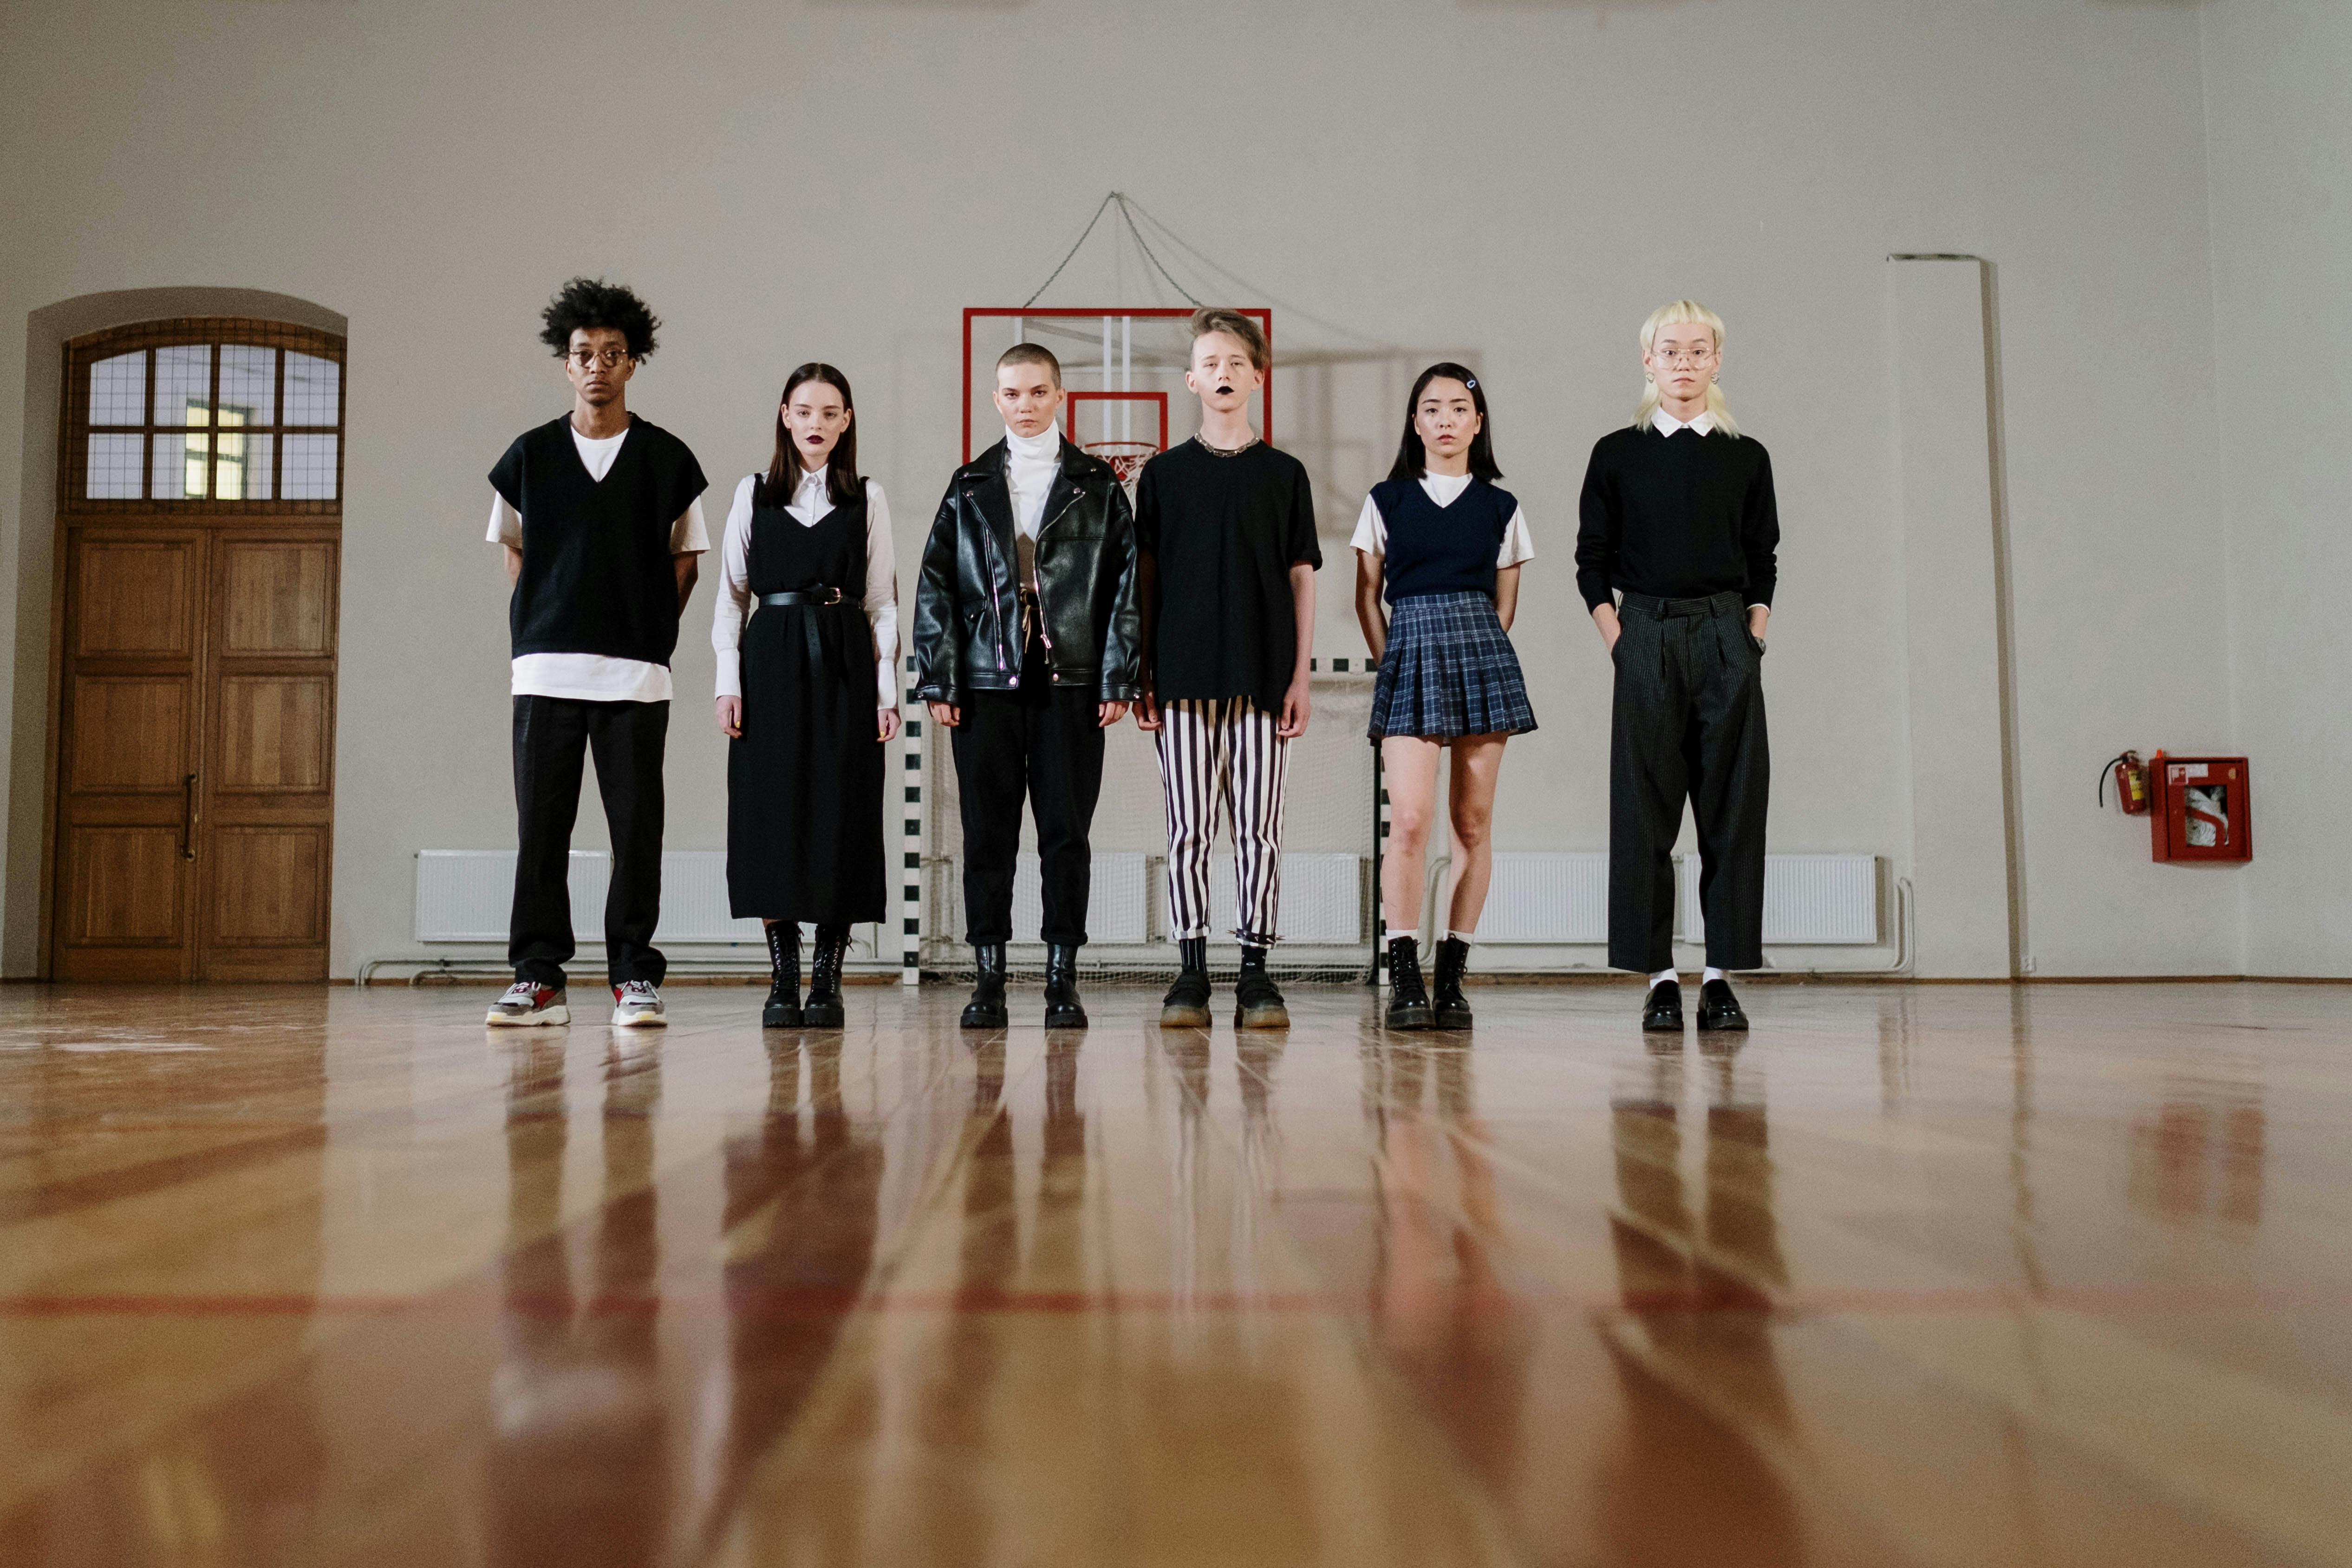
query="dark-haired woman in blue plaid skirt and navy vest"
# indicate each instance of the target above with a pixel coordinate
(1445, 544)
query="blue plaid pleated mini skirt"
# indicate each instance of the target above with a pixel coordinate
(1448, 671)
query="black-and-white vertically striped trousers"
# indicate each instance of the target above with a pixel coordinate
(1222, 760)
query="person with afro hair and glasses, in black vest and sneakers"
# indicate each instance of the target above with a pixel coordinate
(601, 523)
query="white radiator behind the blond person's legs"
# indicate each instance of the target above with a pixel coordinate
(1563, 897)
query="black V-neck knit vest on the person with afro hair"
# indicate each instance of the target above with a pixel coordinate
(596, 554)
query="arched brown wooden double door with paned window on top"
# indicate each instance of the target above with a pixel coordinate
(199, 554)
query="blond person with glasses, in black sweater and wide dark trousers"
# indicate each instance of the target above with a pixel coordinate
(1676, 558)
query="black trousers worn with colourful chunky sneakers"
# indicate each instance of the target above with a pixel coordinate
(552, 739)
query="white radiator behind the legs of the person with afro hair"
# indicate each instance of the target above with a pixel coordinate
(467, 894)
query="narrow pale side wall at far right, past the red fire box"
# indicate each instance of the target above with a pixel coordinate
(2280, 135)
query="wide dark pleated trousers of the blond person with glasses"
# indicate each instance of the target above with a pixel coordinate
(1688, 725)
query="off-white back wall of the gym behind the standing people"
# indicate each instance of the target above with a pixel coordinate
(836, 180)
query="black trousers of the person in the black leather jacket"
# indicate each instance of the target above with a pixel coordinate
(1041, 744)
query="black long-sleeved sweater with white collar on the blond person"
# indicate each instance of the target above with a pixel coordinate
(1678, 516)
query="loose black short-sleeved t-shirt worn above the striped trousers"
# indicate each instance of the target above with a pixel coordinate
(1224, 532)
